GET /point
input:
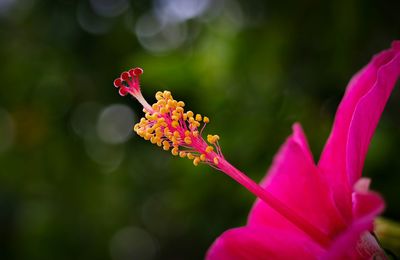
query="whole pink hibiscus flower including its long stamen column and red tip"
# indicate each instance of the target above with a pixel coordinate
(303, 210)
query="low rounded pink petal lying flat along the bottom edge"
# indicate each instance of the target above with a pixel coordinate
(249, 243)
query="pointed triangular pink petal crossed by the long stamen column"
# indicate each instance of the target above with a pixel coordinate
(294, 179)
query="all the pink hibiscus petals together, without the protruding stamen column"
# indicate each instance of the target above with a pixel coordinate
(331, 195)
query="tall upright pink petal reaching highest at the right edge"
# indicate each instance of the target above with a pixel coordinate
(356, 119)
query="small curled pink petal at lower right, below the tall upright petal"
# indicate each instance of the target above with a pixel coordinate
(355, 242)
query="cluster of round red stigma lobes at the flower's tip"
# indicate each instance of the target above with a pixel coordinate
(128, 82)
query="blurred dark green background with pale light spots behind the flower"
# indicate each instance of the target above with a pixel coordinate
(76, 183)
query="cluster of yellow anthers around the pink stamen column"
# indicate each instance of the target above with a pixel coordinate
(168, 125)
